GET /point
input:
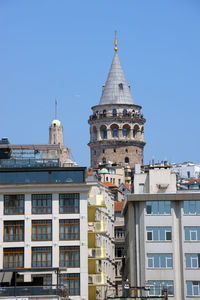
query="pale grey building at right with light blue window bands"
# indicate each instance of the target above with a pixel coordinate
(162, 237)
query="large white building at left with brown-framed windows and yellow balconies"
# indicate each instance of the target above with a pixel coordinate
(44, 224)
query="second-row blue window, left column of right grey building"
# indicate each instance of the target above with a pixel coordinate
(159, 233)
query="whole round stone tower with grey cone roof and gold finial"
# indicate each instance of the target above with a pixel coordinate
(117, 124)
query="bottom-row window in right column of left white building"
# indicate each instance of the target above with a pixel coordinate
(71, 282)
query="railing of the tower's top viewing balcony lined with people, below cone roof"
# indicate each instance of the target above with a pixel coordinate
(128, 115)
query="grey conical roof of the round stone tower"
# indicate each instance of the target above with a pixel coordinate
(116, 89)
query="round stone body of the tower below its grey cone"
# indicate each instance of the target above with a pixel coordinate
(116, 135)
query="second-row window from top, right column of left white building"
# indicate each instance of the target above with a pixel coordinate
(69, 229)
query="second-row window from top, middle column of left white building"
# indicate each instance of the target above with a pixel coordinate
(41, 230)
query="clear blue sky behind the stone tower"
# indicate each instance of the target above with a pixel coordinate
(61, 49)
